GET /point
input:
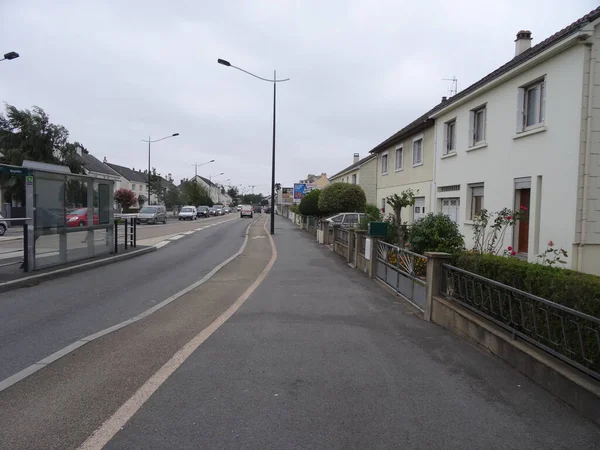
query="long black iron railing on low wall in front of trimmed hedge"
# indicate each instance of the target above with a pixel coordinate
(568, 334)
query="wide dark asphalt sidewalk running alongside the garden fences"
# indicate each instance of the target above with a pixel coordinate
(321, 356)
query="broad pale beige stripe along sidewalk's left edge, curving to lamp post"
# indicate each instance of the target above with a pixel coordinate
(110, 427)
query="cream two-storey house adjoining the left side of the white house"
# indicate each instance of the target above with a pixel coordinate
(406, 161)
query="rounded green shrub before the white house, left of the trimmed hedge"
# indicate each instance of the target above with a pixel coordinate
(435, 233)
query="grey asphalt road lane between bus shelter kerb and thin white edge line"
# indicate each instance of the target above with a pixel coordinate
(37, 321)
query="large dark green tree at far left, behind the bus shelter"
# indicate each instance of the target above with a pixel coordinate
(29, 134)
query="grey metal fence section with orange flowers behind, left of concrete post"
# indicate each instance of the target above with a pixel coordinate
(404, 271)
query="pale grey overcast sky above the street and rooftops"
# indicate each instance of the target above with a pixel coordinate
(117, 71)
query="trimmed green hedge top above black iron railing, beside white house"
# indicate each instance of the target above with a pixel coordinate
(573, 289)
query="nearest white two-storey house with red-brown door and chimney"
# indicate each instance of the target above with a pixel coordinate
(528, 136)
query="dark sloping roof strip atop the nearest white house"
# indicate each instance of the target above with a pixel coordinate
(527, 54)
